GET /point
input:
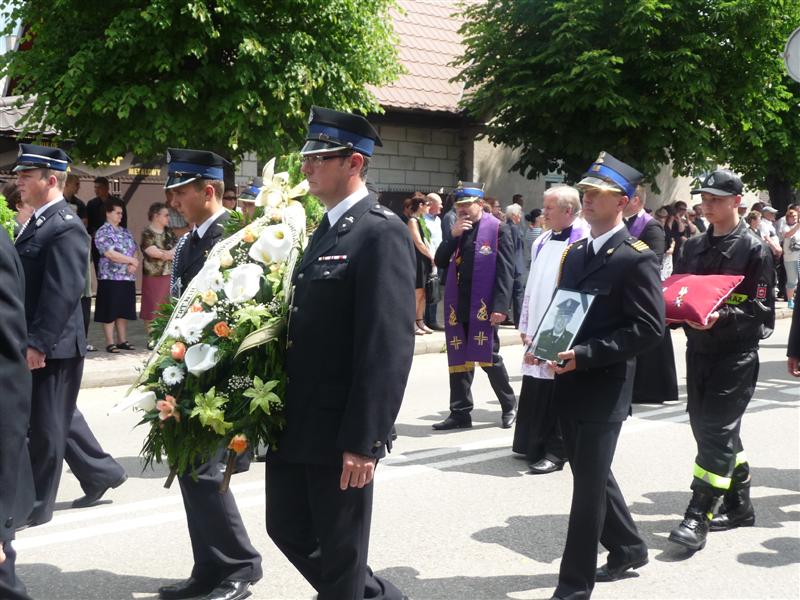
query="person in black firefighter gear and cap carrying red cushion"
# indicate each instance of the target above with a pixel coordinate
(722, 361)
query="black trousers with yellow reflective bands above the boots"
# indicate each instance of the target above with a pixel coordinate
(719, 388)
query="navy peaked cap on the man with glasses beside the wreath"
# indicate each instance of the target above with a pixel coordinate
(332, 131)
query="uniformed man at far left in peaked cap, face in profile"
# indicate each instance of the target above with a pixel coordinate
(53, 246)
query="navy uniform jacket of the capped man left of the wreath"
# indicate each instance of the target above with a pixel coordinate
(53, 250)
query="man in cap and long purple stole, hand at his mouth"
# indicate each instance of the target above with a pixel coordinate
(479, 260)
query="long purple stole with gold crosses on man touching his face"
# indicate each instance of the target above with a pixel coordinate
(462, 353)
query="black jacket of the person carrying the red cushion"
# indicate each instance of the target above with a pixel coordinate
(749, 315)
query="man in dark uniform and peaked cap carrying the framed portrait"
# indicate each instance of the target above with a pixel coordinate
(594, 379)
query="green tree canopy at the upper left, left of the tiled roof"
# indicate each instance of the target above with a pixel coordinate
(230, 75)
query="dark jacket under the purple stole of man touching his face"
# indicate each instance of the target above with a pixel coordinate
(504, 273)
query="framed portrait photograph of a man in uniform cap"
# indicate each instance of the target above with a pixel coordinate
(560, 324)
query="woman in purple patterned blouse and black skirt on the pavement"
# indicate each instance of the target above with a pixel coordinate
(116, 277)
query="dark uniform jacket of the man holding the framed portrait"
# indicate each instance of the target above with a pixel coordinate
(625, 319)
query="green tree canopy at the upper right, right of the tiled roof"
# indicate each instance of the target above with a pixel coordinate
(648, 80)
